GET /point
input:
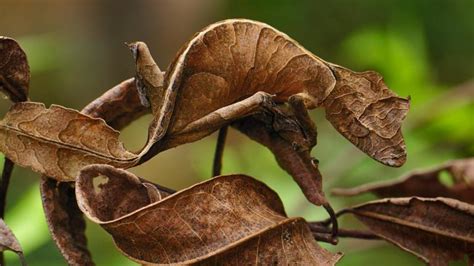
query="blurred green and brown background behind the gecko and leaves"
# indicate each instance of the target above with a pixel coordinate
(423, 48)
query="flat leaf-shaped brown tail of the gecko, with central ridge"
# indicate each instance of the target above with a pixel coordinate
(58, 141)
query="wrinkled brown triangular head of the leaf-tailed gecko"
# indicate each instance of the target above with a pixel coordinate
(366, 112)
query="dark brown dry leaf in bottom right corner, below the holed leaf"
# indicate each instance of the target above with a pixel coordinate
(436, 230)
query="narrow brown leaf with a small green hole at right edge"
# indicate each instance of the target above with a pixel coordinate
(424, 183)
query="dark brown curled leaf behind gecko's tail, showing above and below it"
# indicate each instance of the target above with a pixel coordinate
(118, 107)
